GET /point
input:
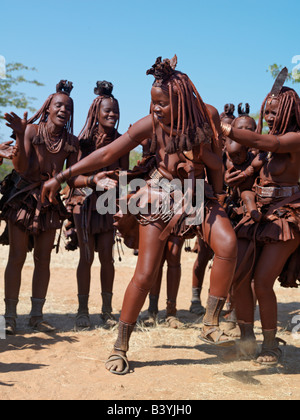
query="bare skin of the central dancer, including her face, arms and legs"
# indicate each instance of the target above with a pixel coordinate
(216, 227)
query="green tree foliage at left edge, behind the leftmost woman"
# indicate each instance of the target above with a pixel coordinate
(10, 95)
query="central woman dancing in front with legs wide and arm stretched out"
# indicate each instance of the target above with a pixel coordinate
(179, 123)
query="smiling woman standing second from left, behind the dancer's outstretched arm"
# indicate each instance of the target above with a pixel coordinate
(96, 232)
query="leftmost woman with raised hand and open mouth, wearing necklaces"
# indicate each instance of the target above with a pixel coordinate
(44, 143)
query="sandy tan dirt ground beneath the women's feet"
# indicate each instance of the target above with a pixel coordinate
(167, 364)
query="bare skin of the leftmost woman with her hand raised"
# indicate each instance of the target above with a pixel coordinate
(34, 162)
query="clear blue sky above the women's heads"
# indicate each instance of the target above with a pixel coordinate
(224, 47)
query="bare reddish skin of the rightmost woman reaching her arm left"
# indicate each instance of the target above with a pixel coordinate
(281, 169)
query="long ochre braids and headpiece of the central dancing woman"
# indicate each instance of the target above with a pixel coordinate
(194, 124)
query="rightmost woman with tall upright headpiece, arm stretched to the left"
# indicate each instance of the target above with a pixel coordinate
(268, 244)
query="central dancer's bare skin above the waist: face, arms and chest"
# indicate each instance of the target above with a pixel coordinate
(142, 130)
